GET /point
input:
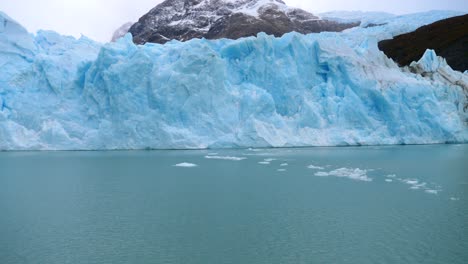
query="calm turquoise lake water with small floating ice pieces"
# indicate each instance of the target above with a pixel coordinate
(395, 204)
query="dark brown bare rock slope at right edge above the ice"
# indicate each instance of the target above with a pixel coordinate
(448, 37)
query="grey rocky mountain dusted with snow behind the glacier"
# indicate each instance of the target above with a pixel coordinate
(214, 19)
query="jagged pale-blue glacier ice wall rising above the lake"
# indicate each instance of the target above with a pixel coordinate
(326, 89)
